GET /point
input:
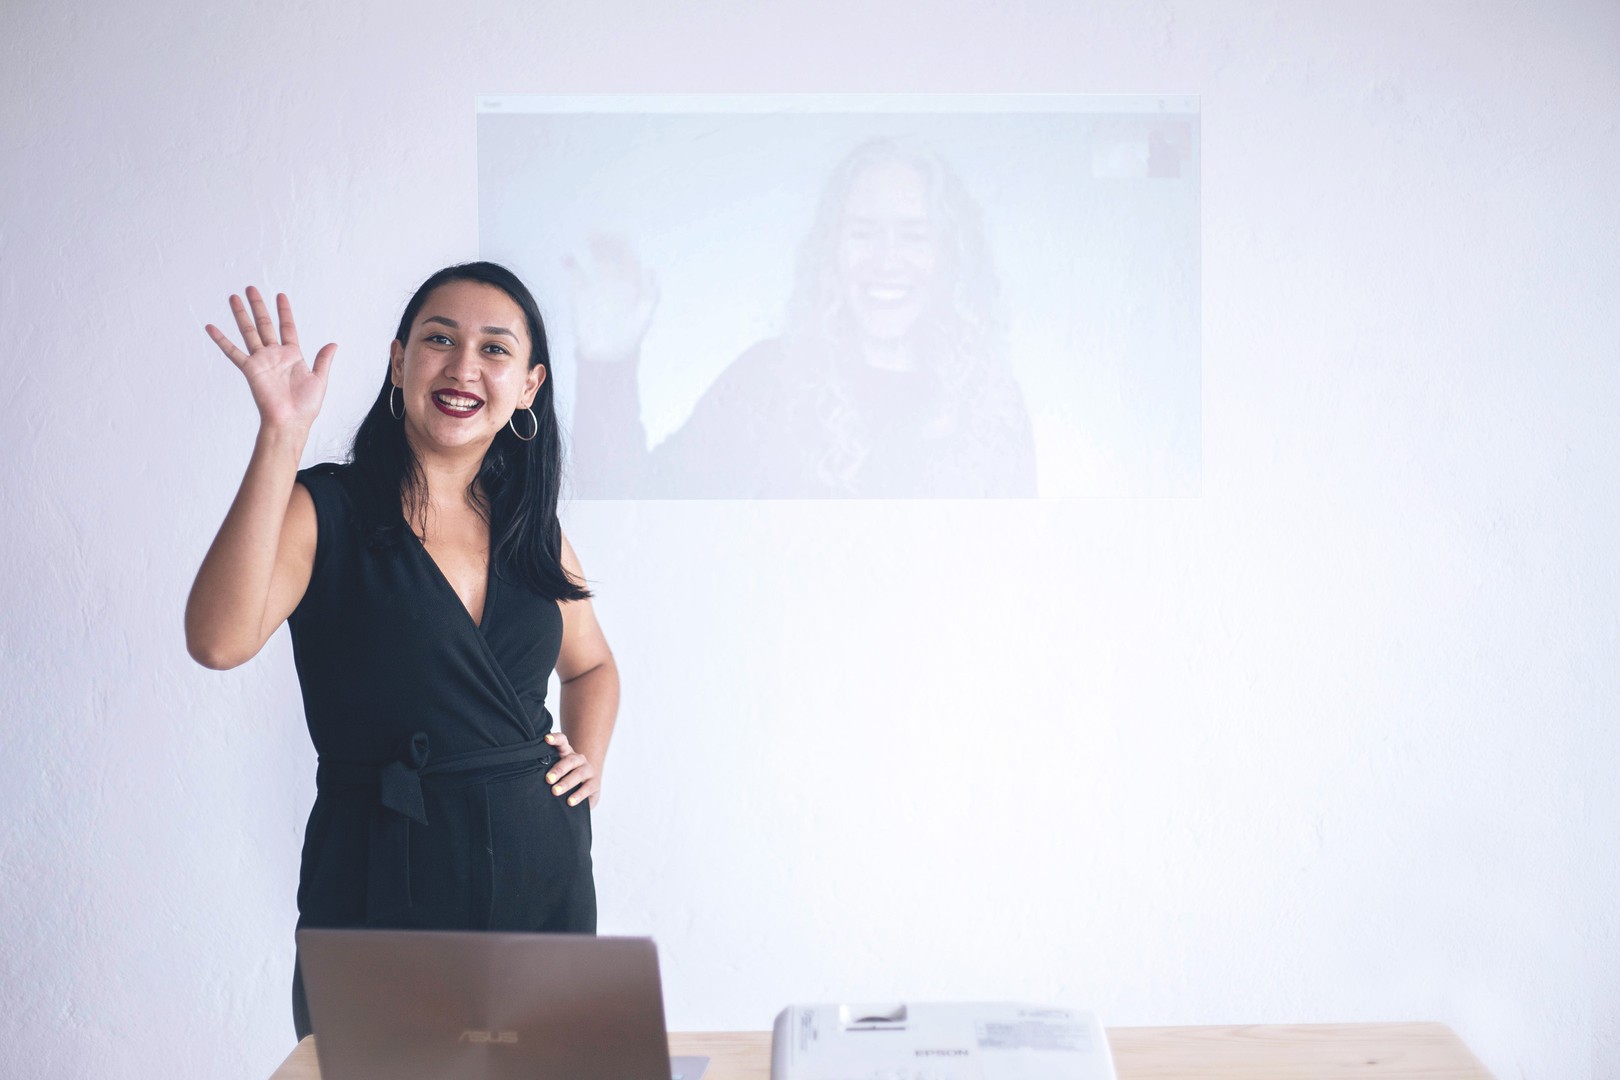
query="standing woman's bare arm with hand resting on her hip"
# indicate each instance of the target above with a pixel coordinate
(590, 697)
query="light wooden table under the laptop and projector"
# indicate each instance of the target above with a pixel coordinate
(1300, 1052)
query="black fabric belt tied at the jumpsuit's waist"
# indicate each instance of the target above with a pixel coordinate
(401, 802)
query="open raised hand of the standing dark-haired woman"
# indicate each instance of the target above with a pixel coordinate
(288, 393)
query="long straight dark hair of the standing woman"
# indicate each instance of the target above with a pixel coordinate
(519, 480)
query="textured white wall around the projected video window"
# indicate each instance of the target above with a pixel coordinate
(1334, 742)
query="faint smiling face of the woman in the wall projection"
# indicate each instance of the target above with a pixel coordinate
(889, 252)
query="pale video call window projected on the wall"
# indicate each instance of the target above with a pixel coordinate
(859, 297)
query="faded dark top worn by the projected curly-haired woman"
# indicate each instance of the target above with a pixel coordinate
(777, 427)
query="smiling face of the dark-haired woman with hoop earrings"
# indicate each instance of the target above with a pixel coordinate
(464, 370)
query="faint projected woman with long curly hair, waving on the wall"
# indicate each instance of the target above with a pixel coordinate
(889, 381)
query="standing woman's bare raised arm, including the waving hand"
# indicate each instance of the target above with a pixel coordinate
(260, 564)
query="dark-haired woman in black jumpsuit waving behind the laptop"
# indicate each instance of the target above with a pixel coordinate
(430, 595)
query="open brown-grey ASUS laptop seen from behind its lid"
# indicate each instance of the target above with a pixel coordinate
(409, 1005)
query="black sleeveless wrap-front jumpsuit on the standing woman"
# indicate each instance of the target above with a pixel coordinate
(433, 809)
